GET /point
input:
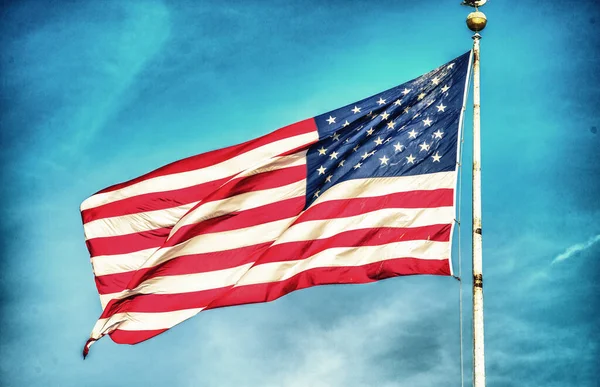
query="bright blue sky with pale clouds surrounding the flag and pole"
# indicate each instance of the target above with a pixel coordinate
(97, 92)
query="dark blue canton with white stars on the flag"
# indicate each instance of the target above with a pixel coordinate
(411, 129)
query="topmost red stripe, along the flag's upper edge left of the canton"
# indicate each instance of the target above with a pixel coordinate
(214, 157)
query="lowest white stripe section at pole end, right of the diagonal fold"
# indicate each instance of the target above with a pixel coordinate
(346, 256)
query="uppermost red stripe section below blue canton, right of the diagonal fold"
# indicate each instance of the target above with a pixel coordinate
(350, 207)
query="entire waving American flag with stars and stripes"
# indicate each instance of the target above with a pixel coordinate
(355, 195)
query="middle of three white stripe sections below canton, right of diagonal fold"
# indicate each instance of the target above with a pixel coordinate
(388, 217)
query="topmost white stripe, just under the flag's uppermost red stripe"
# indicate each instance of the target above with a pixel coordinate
(214, 172)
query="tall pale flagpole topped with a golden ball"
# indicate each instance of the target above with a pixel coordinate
(476, 22)
